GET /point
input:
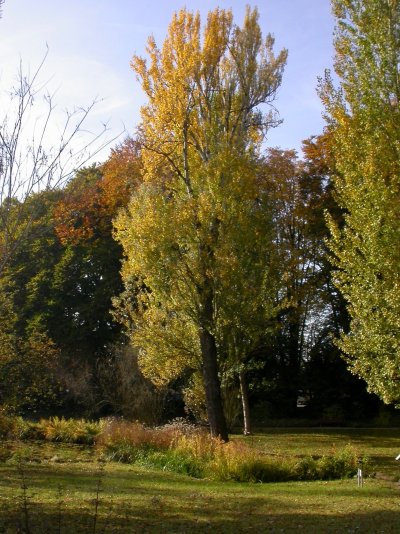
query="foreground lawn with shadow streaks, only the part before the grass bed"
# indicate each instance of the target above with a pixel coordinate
(133, 500)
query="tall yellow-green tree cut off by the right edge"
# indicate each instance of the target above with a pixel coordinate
(363, 116)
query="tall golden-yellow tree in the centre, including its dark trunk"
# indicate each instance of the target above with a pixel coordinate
(194, 233)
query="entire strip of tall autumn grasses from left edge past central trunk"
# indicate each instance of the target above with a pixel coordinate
(186, 449)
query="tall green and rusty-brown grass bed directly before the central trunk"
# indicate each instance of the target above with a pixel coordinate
(190, 450)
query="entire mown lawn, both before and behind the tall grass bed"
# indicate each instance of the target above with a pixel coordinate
(63, 482)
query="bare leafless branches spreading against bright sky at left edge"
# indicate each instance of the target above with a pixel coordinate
(29, 162)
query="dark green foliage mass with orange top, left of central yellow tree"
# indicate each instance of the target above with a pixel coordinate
(55, 300)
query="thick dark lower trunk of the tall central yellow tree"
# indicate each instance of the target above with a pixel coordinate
(215, 412)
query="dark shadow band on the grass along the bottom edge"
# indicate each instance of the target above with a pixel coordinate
(129, 519)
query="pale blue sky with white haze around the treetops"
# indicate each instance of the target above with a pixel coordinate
(91, 43)
